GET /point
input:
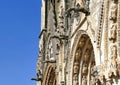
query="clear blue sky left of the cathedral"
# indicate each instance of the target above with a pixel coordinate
(19, 31)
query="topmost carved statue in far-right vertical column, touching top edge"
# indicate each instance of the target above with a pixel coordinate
(113, 11)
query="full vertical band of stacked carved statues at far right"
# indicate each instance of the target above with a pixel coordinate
(112, 56)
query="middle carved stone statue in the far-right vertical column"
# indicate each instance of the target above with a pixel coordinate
(113, 32)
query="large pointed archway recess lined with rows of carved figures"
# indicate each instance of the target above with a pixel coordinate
(84, 62)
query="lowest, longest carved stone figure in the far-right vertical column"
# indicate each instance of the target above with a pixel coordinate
(113, 63)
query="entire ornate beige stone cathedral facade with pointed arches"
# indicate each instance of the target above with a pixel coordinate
(79, 43)
